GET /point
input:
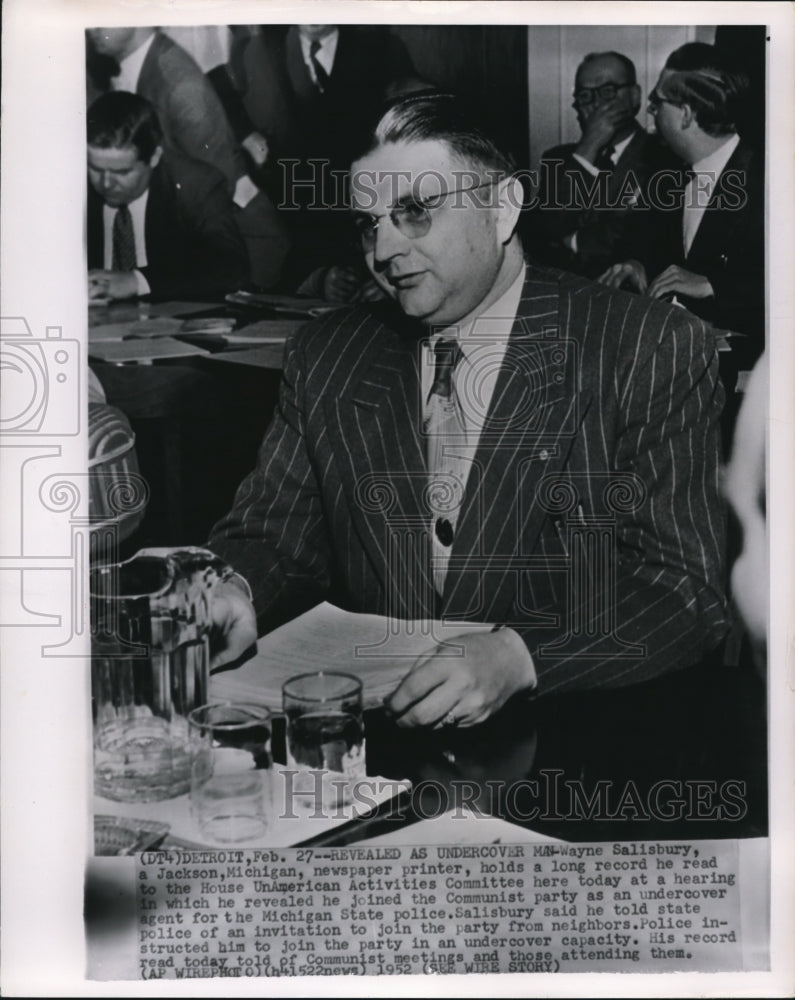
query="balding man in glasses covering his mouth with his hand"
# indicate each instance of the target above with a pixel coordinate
(588, 189)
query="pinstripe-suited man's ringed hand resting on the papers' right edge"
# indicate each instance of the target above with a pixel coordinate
(441, 688)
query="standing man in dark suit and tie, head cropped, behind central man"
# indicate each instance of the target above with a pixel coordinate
(310, 91)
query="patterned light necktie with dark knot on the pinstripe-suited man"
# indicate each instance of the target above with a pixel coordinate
(445, 429)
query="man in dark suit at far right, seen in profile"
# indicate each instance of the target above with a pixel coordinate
(703, 243)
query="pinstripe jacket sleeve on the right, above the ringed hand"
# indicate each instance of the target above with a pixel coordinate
(654, 600)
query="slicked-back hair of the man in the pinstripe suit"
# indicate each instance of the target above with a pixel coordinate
(445, 118)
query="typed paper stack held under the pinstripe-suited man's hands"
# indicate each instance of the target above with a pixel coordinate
(379, 651)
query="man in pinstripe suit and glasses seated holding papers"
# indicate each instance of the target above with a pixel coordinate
(573, 504)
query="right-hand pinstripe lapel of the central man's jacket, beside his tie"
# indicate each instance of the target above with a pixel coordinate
(527, 435)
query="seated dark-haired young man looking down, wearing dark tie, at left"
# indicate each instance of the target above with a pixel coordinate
(158, 223)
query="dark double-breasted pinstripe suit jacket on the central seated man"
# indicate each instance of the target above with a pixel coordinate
(592, 522)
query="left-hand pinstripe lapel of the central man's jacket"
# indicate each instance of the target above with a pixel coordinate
(375, 434)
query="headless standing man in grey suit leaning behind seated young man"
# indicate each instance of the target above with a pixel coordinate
(147, 62)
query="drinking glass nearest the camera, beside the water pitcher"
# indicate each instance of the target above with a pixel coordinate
(230, 787)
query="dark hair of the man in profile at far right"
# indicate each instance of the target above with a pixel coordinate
(707, 82)
